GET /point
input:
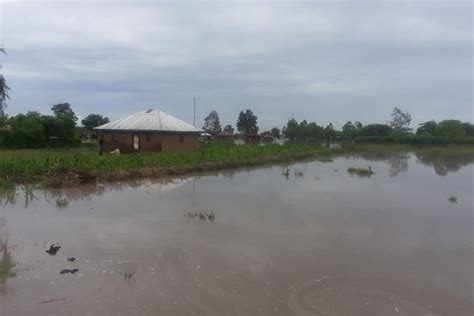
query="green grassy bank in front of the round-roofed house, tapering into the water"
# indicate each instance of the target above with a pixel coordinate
(67, 167)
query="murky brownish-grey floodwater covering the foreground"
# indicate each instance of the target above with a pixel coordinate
(303, 239)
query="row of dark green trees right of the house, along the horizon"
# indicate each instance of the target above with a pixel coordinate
(397, 130)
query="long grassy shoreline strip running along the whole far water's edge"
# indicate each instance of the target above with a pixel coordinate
(62, 169)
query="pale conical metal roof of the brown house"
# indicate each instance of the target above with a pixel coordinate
(150, 121)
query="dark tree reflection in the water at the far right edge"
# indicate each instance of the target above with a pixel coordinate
(445, 161)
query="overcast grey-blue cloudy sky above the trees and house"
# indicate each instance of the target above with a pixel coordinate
(323, 61)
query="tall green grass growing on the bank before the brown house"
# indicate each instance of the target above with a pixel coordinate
(32, 165)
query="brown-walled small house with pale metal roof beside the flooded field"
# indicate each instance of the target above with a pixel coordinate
(149, 131)
